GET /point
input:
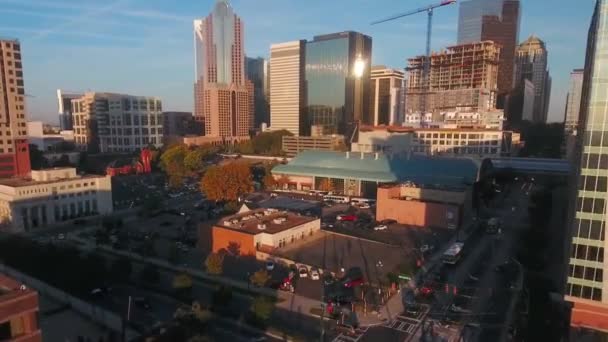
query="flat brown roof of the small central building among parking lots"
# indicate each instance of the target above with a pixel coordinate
(269, 221)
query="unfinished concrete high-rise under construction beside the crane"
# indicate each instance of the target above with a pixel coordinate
(461, 76)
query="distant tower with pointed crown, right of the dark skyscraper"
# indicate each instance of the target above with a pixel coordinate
(531, 64)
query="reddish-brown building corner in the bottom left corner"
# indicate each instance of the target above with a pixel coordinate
(18, 312)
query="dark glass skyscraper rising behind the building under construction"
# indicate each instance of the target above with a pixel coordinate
(495, 20)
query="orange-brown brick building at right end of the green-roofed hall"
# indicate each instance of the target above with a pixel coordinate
(424, 206)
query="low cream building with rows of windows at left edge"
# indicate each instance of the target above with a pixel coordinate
(52, 196)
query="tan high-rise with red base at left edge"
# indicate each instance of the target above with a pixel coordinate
(14, 150)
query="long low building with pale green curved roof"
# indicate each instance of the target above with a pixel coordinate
(359, 174)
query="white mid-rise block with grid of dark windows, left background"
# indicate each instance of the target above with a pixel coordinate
(106, 122)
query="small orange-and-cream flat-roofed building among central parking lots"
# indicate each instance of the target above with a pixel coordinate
(261, 229)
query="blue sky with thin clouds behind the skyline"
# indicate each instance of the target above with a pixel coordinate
(145, 47)
